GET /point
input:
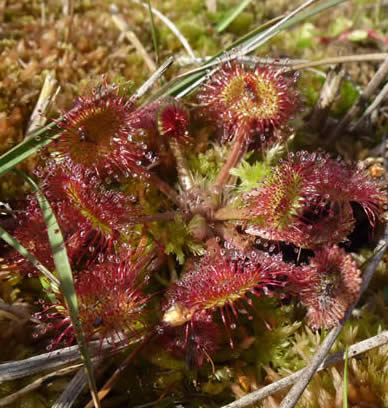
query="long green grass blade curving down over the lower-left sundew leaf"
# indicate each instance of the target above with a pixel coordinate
(65, 274)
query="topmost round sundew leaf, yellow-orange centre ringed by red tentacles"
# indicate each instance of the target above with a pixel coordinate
(258, 100)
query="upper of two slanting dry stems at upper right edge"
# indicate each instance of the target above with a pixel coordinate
(370, 89)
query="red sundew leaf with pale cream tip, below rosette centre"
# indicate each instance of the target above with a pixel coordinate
(221, 283)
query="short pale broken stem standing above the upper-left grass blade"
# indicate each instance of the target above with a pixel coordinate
(47, 95)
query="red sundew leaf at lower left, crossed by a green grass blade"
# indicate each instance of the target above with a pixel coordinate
(111, 301)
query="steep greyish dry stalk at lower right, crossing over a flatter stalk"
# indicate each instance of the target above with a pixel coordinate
(296, 391)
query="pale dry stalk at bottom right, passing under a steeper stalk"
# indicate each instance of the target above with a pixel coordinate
(354, 350)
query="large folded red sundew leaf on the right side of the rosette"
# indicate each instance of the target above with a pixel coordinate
(306, 201)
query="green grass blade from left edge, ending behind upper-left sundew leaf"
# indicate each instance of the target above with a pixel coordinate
(25, 149)
